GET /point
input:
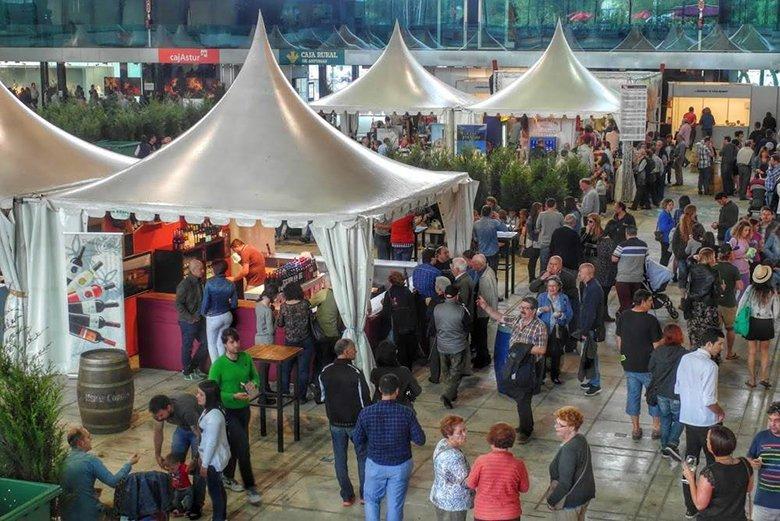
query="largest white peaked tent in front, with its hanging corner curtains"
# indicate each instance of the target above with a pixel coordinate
(262, 154)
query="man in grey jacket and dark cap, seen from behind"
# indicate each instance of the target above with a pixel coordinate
(451, 323)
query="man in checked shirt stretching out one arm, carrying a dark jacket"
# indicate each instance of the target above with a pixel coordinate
(526, 329)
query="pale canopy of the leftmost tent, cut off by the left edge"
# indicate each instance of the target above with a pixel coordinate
(38, 156)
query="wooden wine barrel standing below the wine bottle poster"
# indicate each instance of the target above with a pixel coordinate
(105, 391)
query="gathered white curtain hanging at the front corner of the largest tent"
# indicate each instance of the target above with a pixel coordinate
(349, 254)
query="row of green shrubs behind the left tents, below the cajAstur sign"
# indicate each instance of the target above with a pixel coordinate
(108, 120)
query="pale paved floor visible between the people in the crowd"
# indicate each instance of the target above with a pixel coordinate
(633, 482)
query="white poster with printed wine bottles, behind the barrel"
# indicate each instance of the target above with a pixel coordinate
(94, 279)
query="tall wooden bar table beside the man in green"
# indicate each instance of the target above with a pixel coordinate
(276, 354)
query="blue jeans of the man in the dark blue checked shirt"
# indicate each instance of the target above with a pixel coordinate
(386, 480)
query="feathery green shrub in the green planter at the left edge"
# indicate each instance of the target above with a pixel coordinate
(32, 444)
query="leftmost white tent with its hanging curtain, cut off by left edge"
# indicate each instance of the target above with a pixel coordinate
(36, 157)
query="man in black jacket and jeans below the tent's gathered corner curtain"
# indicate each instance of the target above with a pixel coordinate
(345, 393)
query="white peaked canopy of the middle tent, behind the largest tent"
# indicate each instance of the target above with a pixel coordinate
(396, 82)
